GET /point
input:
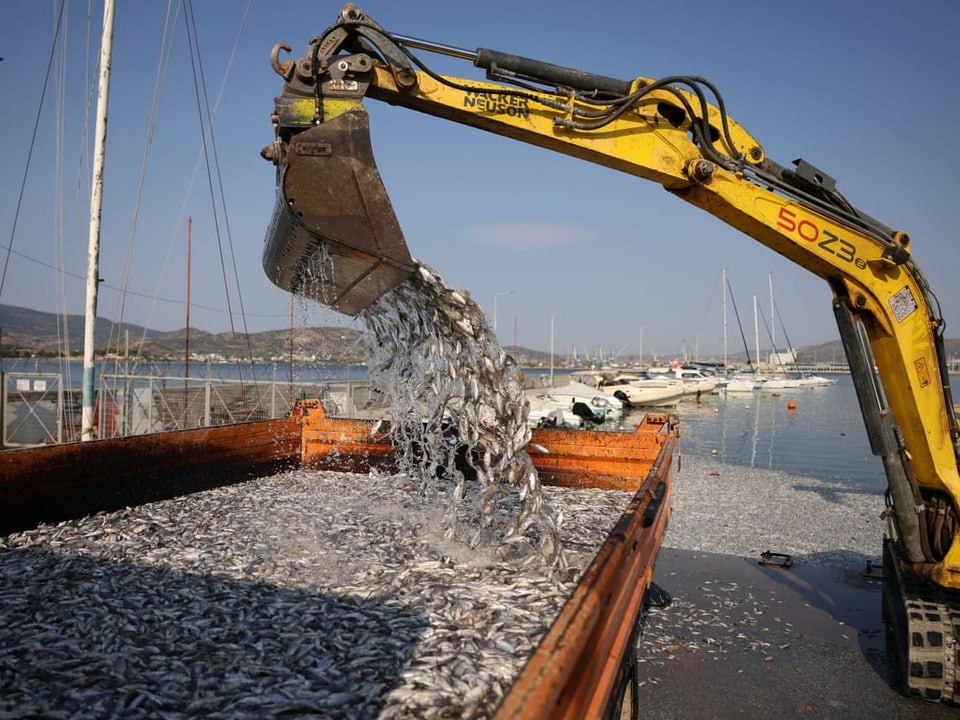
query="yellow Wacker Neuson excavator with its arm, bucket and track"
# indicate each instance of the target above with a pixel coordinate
(335, 238)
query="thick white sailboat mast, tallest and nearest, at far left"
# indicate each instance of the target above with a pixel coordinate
(96, 207)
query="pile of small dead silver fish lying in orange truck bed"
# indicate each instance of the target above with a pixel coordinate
(302, 595)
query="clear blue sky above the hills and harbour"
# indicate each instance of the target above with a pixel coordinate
(866, 91)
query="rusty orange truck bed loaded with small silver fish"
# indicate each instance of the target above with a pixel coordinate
(58, 505)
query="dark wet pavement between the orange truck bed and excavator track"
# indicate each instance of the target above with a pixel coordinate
(741, 640)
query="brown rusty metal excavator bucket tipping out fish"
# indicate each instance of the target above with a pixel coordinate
(334, 237)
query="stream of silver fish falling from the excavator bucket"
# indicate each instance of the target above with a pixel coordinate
(454, 393)
